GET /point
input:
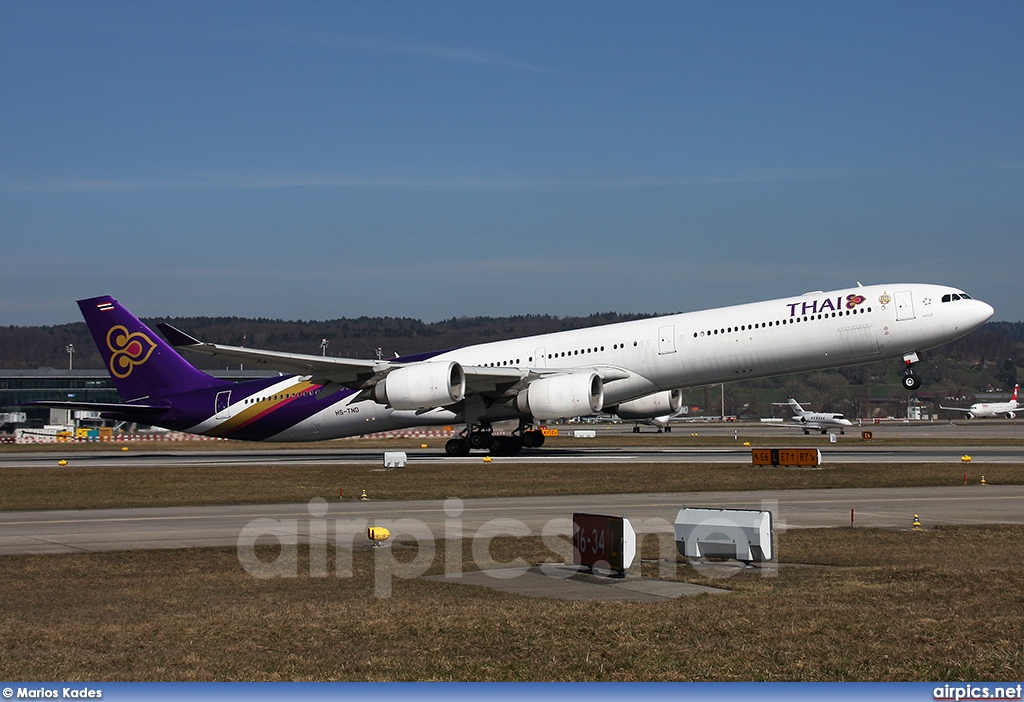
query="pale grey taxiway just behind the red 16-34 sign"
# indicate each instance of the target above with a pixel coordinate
(91, 531)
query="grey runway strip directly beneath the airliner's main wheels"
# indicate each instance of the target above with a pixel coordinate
(945, 443)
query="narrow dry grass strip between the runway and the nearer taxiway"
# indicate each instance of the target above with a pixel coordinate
(72, 488)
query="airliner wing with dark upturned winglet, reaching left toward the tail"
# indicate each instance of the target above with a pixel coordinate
(346, 372)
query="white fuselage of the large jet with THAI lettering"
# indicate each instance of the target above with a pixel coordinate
(805, 333)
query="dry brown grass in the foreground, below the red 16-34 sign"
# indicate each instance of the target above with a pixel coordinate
(867, 605)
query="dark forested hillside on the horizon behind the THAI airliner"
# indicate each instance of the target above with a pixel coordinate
(991, 360)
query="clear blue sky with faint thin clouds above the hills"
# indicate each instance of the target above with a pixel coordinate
(318, 160)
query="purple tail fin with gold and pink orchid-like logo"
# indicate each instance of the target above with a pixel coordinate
(142, 364)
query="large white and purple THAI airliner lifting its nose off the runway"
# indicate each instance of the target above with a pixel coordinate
(634, 370)
